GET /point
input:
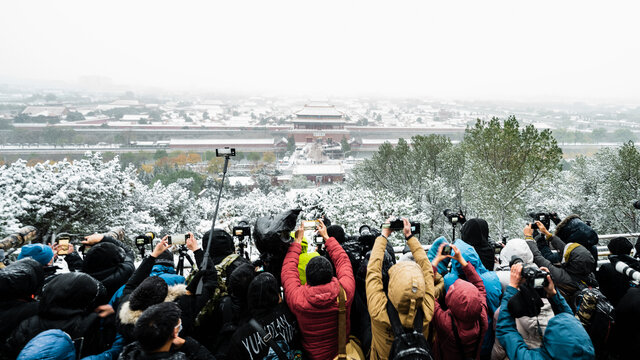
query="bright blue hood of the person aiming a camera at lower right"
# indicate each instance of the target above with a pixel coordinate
(565, 338)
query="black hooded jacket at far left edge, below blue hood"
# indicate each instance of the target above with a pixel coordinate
(18, 282)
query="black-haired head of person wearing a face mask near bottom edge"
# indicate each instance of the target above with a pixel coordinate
(158, 326)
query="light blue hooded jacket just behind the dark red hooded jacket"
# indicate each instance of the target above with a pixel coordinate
(489, 279)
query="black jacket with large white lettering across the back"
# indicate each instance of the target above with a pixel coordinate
(280, 322)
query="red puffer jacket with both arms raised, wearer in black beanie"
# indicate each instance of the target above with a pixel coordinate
(316, 307)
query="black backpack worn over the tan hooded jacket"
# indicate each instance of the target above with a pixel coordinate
(408, 344)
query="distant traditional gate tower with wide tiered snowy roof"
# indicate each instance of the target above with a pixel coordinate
(319, 121)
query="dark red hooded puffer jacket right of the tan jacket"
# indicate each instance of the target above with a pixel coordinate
(468, 307)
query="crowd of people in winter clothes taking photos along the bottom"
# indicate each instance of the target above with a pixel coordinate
(542, 296)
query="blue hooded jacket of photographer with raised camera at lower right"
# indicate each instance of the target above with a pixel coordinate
(564, 338)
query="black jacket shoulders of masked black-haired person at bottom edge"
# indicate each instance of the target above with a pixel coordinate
(191, 350)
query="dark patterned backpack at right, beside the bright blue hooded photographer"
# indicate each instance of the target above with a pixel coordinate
(596, 314)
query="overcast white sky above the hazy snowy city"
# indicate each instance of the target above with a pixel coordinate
(461, 49)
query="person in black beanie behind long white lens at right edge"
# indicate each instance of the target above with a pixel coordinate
(614, 284)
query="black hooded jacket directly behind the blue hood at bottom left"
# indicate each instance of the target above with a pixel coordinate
(67, 303)
